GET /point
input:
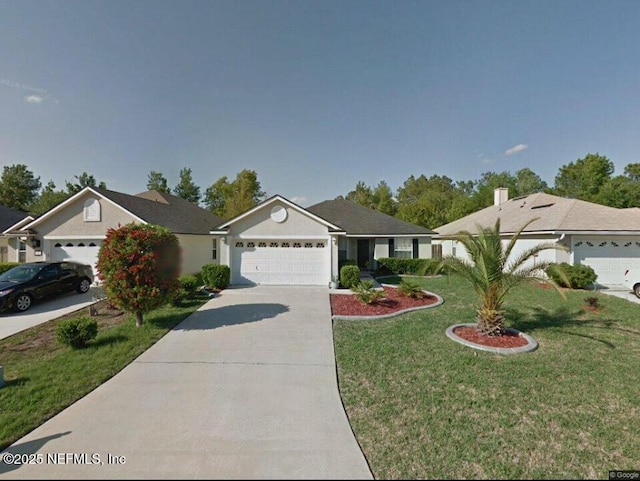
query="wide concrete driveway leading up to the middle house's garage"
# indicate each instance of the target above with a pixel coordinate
(244, 388)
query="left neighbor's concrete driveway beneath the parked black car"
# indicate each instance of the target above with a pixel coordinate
(42, 311)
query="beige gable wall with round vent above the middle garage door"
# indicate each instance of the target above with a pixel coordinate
(260, 225)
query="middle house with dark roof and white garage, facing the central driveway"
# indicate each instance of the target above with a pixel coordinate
(279, 242)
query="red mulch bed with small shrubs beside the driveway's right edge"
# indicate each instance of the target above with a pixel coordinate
(349, 305)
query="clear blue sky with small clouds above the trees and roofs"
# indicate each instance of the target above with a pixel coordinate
(316, 96)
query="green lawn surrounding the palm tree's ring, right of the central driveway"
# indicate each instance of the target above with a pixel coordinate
(423, 406)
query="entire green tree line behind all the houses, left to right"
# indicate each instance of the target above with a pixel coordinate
(426, 201)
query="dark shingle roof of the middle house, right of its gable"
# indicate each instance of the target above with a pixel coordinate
(356, 219)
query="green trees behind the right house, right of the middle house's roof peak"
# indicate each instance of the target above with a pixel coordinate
(437, 200)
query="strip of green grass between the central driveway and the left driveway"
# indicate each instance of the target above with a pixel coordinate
(43, 377)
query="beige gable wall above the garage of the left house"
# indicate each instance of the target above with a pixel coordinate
(69, 221)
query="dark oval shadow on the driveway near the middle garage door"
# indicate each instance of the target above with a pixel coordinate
(214, 317)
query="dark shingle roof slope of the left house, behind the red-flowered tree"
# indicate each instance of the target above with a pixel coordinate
(178, 215)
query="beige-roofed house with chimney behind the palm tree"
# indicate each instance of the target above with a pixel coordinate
(605, 238)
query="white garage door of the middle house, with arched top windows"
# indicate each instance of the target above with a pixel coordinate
(290, 262)
